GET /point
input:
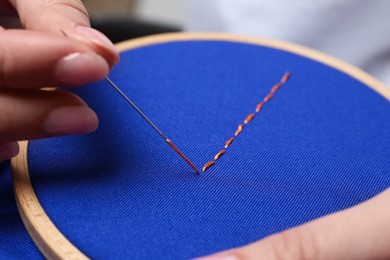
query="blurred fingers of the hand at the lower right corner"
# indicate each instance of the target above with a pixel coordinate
(361, 232)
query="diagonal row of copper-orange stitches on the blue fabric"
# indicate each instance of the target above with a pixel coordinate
(248, 119)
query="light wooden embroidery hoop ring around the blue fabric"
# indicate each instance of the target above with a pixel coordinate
(51, 242)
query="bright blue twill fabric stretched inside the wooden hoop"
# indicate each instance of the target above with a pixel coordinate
(319, 146)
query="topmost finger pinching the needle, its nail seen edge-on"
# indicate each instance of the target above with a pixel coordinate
(70, 16)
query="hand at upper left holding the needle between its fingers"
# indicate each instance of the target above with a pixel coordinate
(41, 56)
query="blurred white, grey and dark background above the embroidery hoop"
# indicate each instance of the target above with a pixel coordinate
(355, 31)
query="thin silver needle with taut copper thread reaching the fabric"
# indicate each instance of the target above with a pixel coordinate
(152, 125)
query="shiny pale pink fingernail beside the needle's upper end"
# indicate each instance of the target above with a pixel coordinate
(81, 68)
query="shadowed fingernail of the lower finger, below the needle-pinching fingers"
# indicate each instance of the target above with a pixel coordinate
(71, 120)
